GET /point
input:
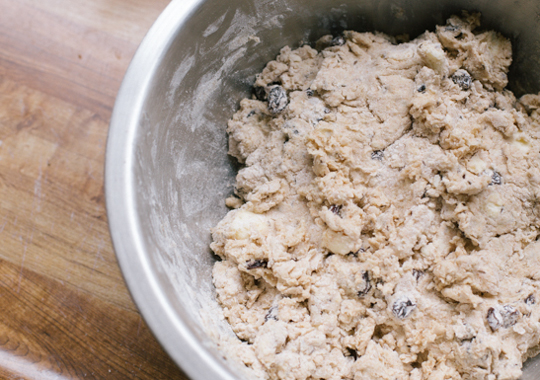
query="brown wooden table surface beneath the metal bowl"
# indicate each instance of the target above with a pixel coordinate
(65, 312)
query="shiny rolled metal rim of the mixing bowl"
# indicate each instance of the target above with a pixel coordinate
(171, 331)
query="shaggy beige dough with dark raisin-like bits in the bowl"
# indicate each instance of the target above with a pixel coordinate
(386, 219)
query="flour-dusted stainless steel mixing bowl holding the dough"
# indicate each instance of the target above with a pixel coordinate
(167, 170)
